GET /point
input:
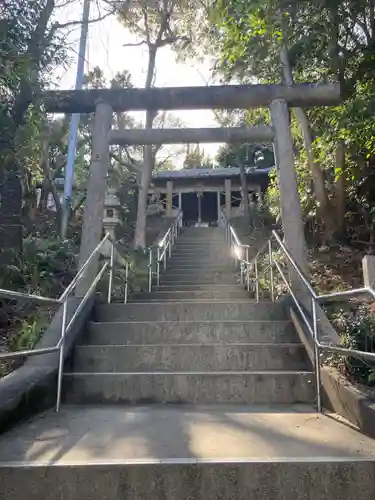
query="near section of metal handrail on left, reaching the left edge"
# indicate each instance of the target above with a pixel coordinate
(65, 328)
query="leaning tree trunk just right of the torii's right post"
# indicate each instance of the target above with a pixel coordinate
(320, 190)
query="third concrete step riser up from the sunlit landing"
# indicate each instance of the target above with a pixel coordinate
(189, 332)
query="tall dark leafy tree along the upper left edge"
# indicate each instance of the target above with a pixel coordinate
(32, 43)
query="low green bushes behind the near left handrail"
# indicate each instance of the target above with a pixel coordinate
(48, 265)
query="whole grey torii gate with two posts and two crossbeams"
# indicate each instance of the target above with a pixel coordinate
(104, 102)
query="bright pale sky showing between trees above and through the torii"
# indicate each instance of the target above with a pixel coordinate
(105, 48)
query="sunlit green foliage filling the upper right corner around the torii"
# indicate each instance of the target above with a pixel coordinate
(333, 40)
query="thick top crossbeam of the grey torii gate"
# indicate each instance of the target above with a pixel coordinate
(178, 98)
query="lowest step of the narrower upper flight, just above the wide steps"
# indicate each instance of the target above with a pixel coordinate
(177, 295)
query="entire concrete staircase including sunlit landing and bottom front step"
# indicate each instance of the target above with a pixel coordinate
(192, 392)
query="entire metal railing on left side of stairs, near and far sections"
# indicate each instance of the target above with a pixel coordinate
(165, 245)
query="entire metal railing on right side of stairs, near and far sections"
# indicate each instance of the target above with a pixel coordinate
(249, 266)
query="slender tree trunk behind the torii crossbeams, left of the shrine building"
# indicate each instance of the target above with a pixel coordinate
(148, 163)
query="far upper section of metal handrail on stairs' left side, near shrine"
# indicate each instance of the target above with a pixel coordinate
(158, 253)
